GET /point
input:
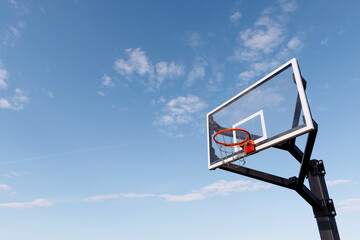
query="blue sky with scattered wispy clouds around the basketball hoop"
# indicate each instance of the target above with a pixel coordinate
(103, 106)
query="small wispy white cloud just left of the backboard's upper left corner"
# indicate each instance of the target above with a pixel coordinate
(180, 110)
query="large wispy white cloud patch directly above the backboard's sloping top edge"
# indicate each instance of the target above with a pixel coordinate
(266, 44)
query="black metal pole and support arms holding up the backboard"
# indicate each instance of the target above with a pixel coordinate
(317, 196)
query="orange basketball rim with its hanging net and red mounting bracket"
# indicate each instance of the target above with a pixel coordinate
(229, 145)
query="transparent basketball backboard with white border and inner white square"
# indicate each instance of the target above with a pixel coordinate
(274, 109)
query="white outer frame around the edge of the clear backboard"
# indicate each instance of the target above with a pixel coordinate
(286, 136)
